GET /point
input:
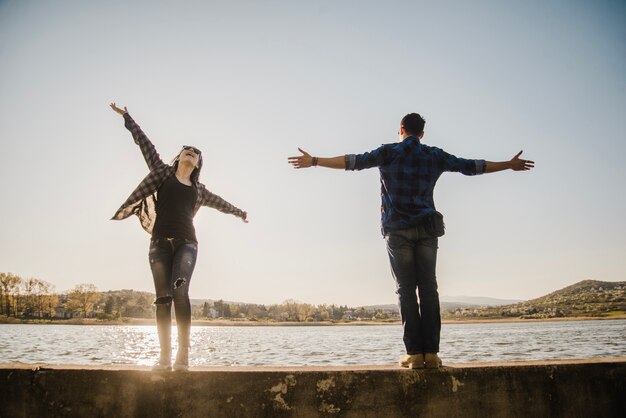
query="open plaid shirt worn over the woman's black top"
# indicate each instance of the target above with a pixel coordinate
(142, 201)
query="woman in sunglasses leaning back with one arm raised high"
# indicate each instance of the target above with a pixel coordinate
(165, 203)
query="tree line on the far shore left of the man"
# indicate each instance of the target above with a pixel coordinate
(35, 298)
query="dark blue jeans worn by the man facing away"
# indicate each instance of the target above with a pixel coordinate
(413, 258)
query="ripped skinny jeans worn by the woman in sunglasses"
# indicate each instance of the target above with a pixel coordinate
(172, 261)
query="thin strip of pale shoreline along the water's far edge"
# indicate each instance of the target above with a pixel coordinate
(231, 323)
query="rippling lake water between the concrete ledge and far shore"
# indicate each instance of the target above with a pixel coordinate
(311, 345)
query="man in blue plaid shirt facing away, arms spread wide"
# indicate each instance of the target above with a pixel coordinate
(411, 226)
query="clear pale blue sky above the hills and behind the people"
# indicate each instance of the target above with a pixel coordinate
(250, 81)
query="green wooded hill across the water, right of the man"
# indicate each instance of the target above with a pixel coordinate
(591, 298)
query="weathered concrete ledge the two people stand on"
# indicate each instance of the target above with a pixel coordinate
(584, 388)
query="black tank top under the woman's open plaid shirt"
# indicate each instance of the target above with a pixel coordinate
(174, 208)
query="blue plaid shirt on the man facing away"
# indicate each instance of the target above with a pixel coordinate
(408, 173)
